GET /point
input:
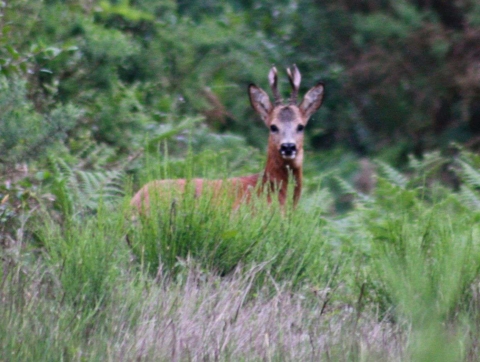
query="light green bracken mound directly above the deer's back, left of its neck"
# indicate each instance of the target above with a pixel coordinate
(186, 150)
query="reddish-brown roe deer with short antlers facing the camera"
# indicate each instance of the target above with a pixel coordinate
(286, 123)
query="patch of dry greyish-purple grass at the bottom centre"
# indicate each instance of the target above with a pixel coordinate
(212, 318)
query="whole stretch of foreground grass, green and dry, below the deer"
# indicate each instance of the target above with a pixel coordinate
(395, 278)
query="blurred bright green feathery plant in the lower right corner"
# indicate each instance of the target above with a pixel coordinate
(427, 272)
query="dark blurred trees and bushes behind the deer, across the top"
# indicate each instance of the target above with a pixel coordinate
(402, 76)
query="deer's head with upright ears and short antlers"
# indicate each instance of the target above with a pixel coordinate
(286, 122)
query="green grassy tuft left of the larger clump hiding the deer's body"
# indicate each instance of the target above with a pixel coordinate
(86, 253)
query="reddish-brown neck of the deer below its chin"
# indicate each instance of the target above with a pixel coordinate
(278, 172)
